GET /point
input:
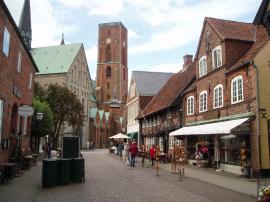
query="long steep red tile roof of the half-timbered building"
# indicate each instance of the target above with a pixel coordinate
(170, 91)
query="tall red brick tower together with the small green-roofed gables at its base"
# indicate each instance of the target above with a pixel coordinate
(109, 117)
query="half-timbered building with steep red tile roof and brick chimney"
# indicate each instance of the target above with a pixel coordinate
(163, 113)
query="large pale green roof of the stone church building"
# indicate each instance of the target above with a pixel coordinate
(55, 59)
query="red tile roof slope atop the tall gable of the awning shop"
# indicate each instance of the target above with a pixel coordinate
(227, 29)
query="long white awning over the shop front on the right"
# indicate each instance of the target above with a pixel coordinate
(222, 127)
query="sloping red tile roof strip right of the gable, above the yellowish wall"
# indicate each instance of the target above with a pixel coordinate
(260, 40)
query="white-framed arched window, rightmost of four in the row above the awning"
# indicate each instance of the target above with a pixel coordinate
(237, 94)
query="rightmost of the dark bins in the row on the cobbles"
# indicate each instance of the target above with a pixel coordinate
(77, 170)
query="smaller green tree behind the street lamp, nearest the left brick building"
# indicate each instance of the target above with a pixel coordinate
(40, 128)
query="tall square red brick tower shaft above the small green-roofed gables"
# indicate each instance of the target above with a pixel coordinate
(112, 71)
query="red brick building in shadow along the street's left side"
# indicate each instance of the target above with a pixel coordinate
(17, 70)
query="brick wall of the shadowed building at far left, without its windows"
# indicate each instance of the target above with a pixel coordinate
(9, 76)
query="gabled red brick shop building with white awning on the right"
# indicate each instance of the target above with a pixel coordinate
(220, 108)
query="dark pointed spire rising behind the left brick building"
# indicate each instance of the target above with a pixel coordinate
(25, 24)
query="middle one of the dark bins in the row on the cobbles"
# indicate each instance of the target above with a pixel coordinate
(63, 171)
